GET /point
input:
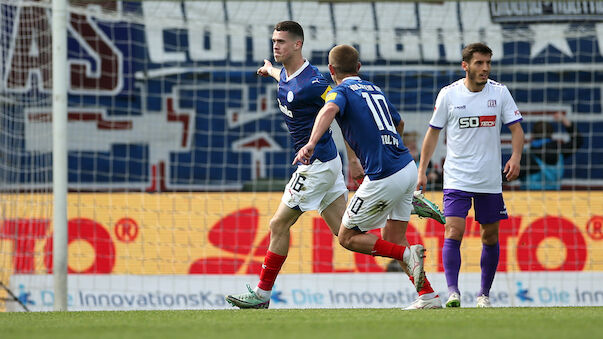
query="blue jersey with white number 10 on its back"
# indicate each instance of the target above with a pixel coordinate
(368, 121)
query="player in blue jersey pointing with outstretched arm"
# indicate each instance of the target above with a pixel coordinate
(316, 186)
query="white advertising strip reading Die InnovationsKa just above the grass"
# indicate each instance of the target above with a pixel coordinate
(345, 290)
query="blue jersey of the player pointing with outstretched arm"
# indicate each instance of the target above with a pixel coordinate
(300, 97)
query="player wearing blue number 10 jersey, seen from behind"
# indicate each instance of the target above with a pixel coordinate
(373, 127)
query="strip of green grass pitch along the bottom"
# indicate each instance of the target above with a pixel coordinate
(552, 322)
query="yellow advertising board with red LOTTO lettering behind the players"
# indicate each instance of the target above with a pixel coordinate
(227, 233)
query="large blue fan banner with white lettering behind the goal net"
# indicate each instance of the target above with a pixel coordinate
(140, 107)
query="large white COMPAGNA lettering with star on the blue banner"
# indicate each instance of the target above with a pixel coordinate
(407, 31)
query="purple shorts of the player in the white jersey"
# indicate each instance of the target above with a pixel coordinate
(489, 207)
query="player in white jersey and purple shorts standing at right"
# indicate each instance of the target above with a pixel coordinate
(473, 109)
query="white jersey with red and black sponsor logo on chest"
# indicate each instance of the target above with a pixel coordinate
(473, 122)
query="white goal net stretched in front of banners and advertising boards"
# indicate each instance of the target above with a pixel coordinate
(178, 155)
